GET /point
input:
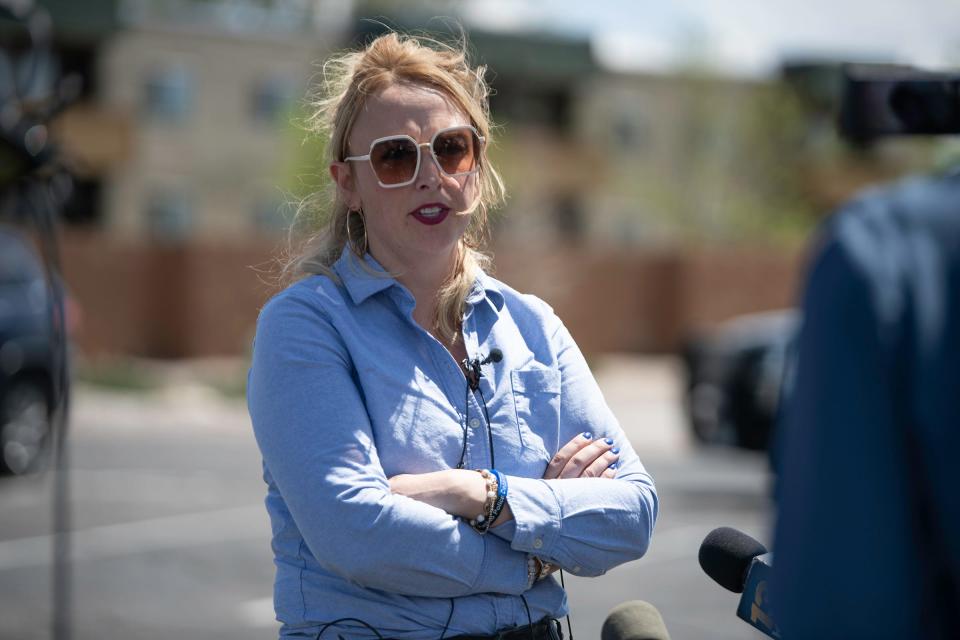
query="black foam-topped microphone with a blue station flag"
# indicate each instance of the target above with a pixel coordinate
(741, 564)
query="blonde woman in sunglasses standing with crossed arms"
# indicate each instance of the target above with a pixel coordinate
(434, 444)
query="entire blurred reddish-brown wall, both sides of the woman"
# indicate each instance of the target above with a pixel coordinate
(203, 300)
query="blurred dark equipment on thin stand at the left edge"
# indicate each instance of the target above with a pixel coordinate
(34, 184)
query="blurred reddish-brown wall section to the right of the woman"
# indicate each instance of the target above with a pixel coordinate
(651, 301)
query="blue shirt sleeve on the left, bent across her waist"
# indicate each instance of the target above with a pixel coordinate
(317, 443)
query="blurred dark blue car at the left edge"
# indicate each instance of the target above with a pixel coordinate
(26, 357)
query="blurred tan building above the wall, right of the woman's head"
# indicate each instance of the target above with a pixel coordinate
(606, 159)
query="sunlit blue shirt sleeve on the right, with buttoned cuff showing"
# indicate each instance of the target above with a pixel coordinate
(586, 525)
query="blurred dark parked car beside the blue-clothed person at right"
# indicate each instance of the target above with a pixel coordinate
(735, 377)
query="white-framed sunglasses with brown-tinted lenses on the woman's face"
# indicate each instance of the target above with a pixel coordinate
(395, 160)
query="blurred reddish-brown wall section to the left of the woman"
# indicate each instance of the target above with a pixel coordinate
(164, 302)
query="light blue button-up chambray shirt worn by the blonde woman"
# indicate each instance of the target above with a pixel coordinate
(346, 390)
